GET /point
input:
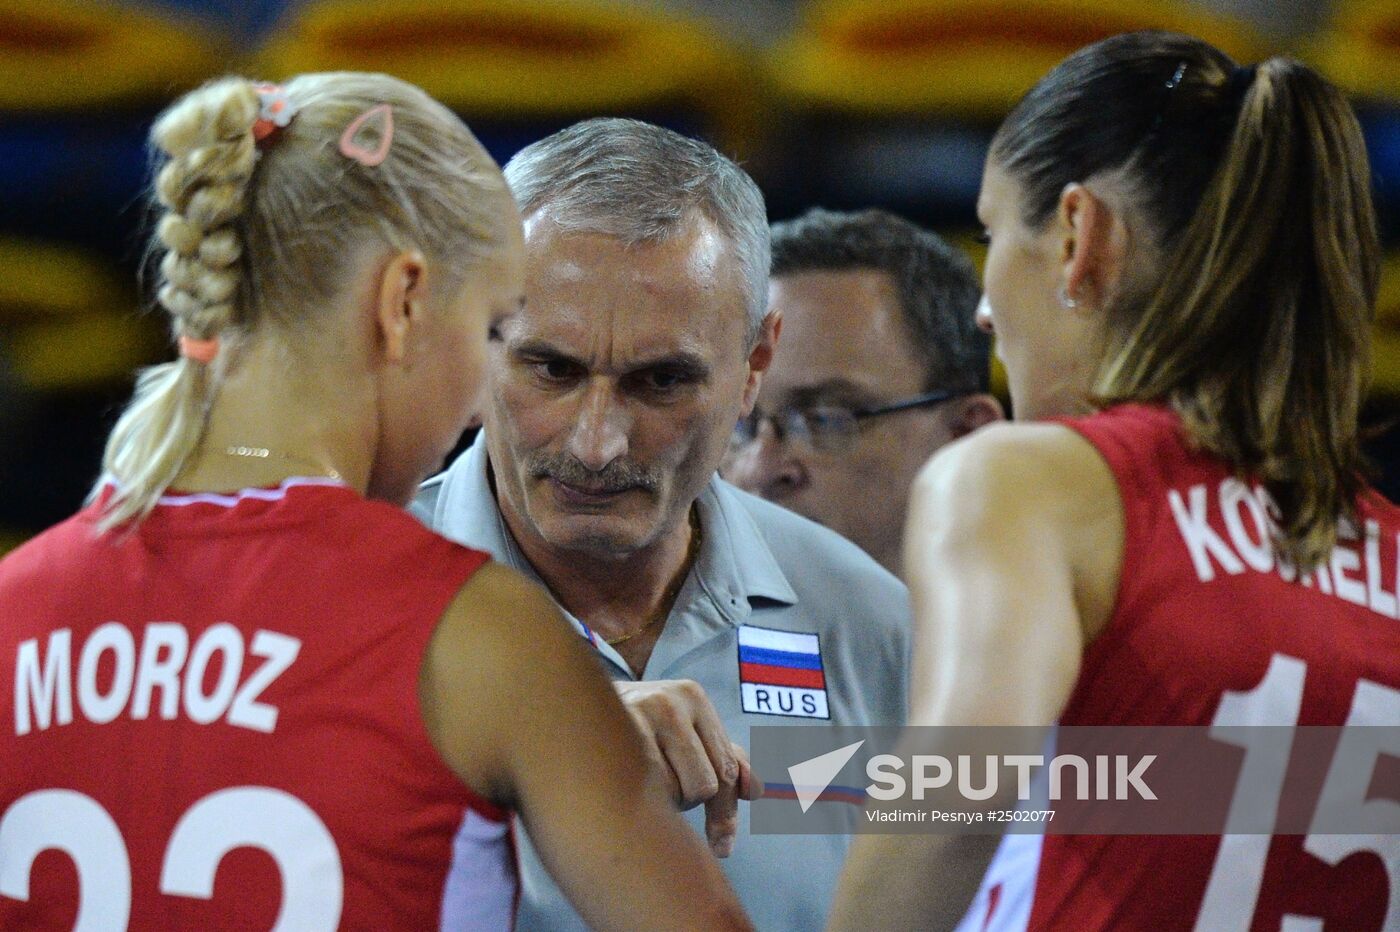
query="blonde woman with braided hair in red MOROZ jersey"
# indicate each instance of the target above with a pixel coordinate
(243, 688)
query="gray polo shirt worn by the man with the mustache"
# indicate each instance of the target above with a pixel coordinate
(786, 593)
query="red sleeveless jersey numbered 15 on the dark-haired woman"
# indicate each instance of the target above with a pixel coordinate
(1210, 628)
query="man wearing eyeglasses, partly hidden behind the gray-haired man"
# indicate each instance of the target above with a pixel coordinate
(881, 363)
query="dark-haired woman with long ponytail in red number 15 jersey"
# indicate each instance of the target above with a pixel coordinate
(1182, 278)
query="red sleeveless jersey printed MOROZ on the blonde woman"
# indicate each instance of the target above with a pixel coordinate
(213, 724)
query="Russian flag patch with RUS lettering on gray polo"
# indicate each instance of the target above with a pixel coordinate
(780, 674)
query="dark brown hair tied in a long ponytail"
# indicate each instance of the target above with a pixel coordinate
(1258, 328)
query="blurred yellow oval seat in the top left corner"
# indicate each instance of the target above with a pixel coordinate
(71, 54)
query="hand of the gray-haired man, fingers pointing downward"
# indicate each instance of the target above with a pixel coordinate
(694, 754)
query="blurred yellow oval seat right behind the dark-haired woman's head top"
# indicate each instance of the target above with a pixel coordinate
(967, 58)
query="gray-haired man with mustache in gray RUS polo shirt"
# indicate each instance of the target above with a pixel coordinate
(612, 398)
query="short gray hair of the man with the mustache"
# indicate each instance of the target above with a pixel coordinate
(642, 184)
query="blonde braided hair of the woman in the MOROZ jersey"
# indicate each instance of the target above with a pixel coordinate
(260, 236)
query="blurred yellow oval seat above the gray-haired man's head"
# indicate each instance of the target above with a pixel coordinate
(499, 58)
